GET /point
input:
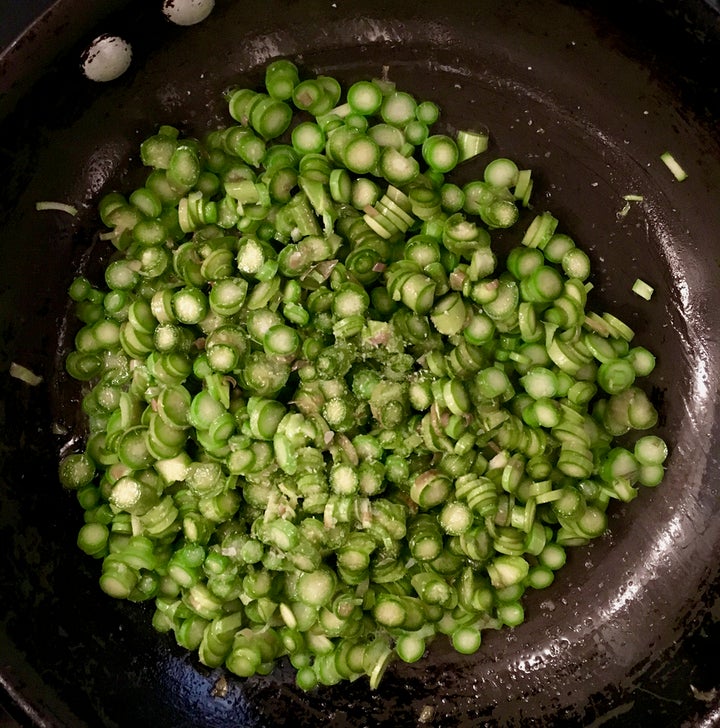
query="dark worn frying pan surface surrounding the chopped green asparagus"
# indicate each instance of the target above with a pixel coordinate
(586, 94)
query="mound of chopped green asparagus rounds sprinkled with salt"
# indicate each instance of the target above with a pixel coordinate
(325, 420)
